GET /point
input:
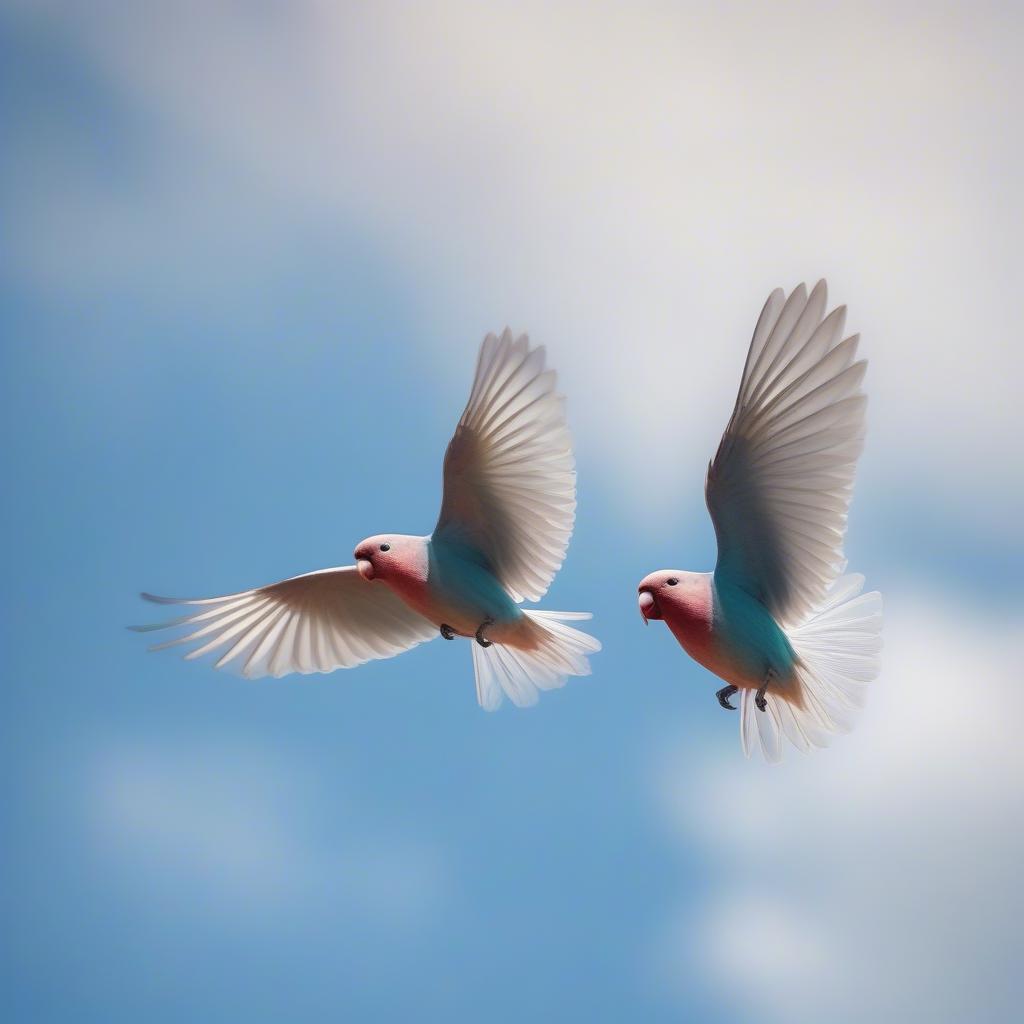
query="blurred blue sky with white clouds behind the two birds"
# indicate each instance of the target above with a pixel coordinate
(249, 252)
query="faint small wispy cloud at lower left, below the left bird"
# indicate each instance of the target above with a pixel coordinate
(243, 826)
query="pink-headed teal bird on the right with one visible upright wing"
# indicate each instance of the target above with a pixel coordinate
(777, 620)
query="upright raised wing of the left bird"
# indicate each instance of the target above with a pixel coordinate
(509, 472)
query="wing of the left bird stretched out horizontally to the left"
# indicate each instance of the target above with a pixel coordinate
(332, 619)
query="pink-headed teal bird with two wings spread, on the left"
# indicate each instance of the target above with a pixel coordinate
(507, 516)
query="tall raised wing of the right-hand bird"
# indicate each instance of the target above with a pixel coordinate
(780, 488)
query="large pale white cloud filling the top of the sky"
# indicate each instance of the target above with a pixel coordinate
(631, 183)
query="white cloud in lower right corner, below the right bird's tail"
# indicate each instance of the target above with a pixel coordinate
(878, 880)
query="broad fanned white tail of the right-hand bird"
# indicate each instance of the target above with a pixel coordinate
(837, 656)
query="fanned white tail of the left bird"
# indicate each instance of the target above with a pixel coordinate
(522, 674)
